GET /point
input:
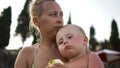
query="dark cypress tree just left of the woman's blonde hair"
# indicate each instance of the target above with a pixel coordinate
(23, 22)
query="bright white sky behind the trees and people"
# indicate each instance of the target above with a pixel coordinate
(85, 13)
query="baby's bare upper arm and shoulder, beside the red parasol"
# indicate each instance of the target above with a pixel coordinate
(95, 61)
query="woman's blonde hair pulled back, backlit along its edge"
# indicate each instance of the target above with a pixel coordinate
(35, 10)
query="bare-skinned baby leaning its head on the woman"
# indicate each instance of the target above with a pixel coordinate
(72, 44)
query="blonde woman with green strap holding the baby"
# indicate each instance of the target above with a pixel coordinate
(47, 16)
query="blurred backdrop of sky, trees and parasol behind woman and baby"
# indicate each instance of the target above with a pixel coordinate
(100, 20)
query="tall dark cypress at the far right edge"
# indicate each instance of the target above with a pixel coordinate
(114, 38)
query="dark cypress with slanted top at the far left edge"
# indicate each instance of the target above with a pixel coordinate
(5, 22)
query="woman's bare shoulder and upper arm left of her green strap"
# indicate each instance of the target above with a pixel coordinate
(25, 56)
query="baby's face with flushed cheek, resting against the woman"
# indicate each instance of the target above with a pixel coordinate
(70, 41)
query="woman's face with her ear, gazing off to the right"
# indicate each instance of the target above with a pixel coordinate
(51, 19)
